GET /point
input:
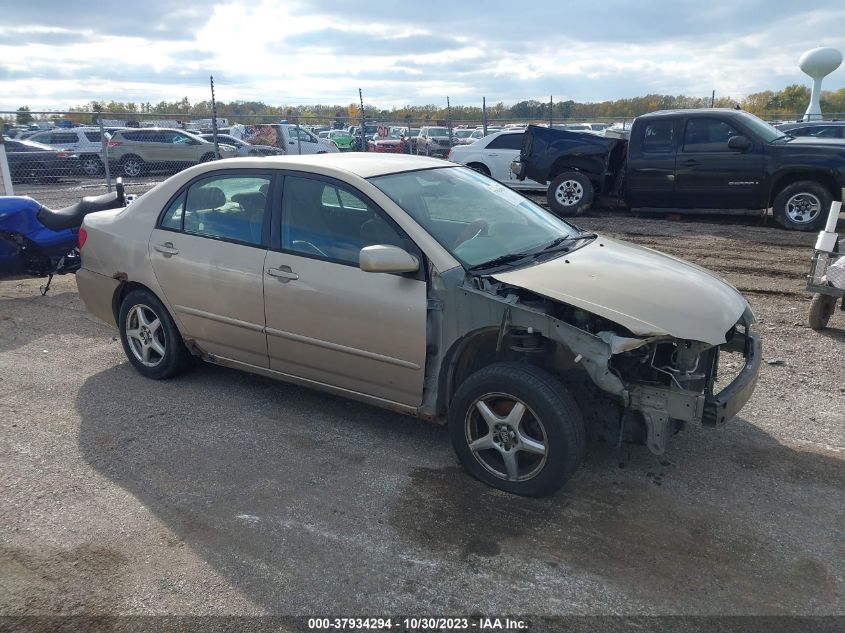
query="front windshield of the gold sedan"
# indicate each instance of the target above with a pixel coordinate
(474, 217)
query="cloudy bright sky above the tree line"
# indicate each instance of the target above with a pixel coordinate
(60, 53)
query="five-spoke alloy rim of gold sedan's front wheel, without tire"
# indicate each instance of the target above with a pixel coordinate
(506, 437)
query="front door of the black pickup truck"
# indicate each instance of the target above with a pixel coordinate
(710, 175)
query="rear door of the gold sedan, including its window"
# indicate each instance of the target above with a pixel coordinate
(207, 252)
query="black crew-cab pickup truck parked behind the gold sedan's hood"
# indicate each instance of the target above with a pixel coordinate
(694, 160)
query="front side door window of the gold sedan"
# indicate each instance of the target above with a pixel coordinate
(322, 220)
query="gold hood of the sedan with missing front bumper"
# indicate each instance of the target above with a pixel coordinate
(649, 293)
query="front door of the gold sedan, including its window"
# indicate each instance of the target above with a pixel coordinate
(327, 320)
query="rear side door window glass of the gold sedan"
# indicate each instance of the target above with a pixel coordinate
(227, 207)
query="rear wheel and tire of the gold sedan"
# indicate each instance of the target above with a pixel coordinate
(150, 338)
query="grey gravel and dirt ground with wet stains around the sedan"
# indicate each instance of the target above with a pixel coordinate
(224, 493)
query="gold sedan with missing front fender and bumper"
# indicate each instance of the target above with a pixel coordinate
(426, 288)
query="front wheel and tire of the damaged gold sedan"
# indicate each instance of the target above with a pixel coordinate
(516, 428)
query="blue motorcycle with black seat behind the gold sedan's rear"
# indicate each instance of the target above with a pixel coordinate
(42, 242)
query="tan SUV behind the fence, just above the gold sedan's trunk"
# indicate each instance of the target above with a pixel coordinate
(136, 150)
